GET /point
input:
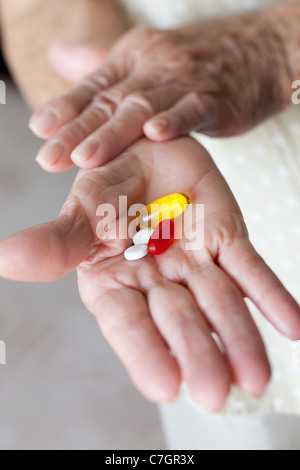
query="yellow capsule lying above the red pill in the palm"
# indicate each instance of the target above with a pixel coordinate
(168, 207)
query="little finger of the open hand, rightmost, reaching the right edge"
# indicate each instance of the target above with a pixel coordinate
(249, 271)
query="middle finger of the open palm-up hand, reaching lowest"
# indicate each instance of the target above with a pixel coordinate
(202, 364)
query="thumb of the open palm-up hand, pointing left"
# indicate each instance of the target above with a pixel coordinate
(47, 252)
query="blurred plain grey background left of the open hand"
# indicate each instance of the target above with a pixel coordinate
(62, 387)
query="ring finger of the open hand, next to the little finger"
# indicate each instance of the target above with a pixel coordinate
(230, 319)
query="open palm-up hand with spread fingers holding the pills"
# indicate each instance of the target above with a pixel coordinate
(158, 313)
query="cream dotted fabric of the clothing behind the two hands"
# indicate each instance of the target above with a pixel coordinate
(263, 170)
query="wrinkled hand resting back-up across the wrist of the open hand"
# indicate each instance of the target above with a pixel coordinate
(219, 77)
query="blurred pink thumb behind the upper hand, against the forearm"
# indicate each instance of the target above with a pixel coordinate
(73, 62)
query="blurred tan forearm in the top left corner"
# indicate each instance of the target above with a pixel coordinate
(27, 34)
